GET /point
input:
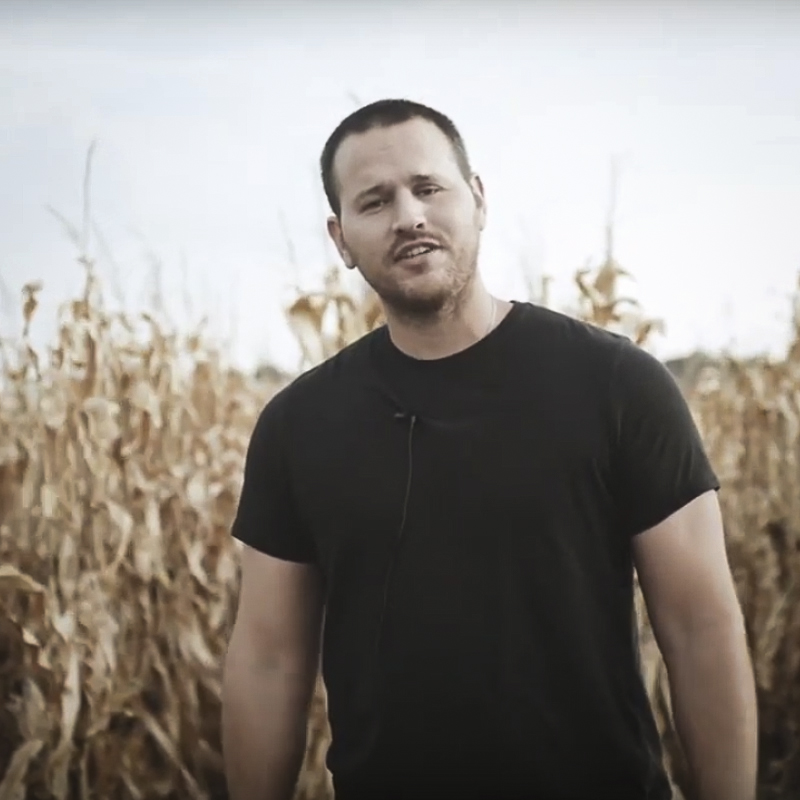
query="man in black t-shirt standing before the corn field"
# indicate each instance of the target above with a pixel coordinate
(462, 495)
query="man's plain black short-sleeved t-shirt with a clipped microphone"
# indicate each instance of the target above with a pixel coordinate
(472, 517)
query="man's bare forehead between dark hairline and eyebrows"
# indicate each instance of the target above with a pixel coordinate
(391, 154)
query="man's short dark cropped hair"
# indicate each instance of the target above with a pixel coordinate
(384, 114)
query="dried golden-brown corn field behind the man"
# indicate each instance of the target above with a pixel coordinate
(121, 452)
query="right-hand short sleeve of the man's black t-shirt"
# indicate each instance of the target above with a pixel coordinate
(659, 460)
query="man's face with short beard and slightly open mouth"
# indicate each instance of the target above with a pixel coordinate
(400, 185)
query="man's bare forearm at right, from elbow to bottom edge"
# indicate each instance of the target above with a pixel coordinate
(714, 705)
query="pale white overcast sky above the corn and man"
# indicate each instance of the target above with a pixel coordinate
(209, 120)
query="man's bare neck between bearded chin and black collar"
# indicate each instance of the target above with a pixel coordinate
(453, 330)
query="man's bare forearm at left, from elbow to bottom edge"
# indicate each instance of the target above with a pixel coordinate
(264, 719)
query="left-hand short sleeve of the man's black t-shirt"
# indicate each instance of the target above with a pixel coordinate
(267, 518)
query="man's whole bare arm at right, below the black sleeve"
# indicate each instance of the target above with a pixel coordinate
(698, 624)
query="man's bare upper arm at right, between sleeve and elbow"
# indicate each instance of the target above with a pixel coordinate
(684, 572)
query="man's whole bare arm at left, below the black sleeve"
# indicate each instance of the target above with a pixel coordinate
(269, 676)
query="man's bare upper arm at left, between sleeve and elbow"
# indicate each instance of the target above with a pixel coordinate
(279, 614)
